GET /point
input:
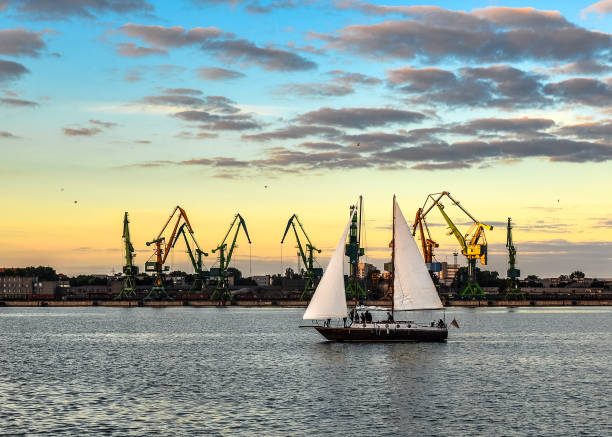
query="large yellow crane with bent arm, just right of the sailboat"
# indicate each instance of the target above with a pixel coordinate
(473, 243)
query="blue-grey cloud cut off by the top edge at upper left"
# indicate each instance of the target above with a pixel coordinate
(58, 10)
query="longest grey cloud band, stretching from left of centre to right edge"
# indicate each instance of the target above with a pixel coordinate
(312, 156)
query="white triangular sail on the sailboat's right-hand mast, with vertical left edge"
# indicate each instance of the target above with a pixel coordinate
(413, 288)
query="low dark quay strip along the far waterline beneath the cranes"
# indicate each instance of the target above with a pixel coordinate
(294, 304)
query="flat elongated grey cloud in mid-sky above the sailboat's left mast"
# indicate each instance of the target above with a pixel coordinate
(359, 118)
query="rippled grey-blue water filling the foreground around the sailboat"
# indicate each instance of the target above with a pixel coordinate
(188, 371)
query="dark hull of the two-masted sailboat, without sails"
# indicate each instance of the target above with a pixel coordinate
(382, 333)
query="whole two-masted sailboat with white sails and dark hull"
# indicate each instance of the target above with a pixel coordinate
(412, 290)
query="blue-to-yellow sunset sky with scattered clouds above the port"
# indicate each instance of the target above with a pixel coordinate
(271, 108)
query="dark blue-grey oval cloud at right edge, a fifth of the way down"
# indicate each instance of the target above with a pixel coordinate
(581, 90)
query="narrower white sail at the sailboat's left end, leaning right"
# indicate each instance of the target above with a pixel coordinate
(329, 299)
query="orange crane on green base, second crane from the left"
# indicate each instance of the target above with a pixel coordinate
(161, 252)
